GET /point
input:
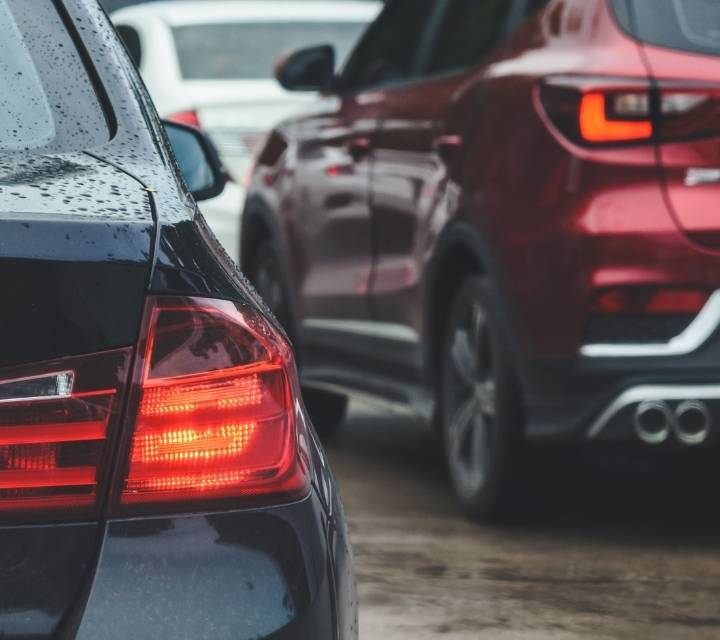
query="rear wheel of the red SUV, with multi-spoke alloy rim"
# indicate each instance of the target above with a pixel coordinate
(481, 410)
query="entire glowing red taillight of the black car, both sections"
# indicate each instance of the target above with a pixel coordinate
(211, 420)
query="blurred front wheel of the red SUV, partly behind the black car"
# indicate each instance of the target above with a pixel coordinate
(266, 274)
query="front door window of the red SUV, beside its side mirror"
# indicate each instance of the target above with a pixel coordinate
(390, 51)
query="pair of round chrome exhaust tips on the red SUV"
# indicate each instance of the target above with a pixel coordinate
(690, 422)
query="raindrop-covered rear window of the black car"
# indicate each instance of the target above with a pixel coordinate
(47, 103)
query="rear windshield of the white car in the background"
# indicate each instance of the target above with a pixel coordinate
(250, 50)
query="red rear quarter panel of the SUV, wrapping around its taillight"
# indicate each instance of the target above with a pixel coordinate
(561, 221)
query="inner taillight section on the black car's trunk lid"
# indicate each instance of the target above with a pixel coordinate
(58, 421)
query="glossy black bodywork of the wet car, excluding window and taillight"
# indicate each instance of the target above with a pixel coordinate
(83, 238)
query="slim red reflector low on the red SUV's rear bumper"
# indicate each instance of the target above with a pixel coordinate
(638, 301)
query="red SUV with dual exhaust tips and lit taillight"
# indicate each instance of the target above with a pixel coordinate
(505, 214)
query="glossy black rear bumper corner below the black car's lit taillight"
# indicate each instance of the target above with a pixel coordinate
(239, 575)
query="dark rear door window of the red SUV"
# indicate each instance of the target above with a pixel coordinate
(470, 29)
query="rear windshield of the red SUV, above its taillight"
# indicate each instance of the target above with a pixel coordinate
(686, 25)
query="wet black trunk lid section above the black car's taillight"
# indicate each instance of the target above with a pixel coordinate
(80, 233)
